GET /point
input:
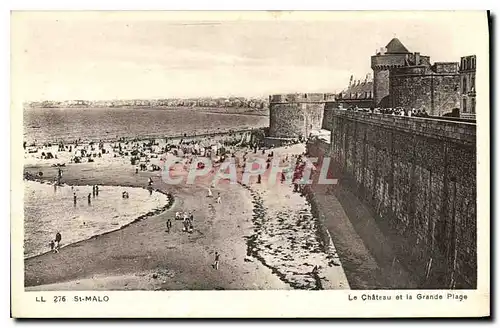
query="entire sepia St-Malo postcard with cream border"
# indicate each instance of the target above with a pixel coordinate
(260, 151)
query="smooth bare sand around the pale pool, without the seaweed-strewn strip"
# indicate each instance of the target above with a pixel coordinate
(150, 257)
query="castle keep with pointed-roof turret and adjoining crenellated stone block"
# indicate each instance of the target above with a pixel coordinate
(408, 79)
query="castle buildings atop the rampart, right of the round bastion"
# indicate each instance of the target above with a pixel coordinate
(409, 80)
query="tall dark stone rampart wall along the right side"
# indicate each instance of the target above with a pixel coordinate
(419, 178)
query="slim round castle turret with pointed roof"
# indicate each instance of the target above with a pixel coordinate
(392, 56)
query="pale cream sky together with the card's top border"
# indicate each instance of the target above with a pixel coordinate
(144, 55)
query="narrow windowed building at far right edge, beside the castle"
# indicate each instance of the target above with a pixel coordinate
(467, 73)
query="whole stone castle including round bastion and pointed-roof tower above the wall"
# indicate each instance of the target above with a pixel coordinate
(400, 79)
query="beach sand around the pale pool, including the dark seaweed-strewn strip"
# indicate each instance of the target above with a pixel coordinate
(144, 256)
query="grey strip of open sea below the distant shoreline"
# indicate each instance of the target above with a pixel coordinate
(93, 124)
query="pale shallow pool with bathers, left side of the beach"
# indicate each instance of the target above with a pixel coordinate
(48, 210)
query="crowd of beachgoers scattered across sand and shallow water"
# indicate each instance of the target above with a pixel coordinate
(148, 155)
